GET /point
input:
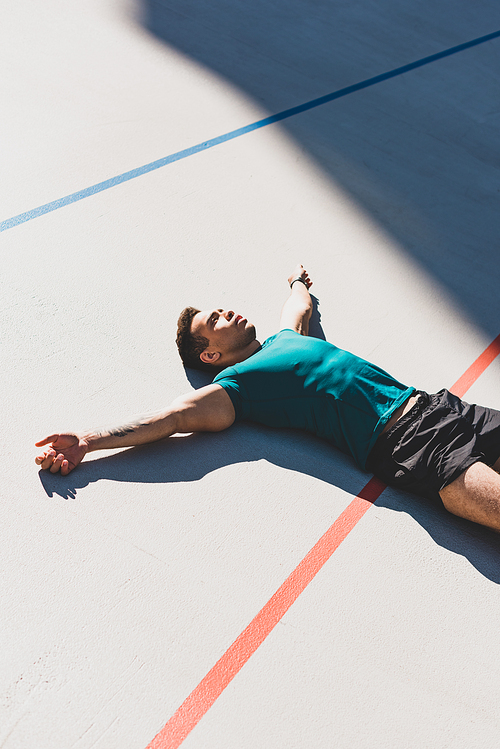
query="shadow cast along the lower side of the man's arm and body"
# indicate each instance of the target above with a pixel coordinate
(190, 458)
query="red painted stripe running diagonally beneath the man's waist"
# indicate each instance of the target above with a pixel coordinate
(211, 687)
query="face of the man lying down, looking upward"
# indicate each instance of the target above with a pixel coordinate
(227, 332)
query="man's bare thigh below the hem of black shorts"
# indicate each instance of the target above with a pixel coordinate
(475, 495)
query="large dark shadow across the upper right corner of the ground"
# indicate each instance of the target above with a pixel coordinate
(421, 152)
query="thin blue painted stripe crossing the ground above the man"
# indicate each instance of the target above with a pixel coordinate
(126, 176)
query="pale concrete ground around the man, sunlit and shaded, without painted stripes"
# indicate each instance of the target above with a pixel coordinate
(123, 583)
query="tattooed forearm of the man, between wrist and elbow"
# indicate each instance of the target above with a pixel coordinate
(138, 432)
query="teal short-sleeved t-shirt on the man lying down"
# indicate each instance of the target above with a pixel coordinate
(307, 383)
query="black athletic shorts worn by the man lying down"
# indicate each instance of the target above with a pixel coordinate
(432, 444)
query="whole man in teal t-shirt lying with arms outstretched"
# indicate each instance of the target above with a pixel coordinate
(433, 445)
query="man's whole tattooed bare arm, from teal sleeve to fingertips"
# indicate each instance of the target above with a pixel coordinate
(208, 409)
